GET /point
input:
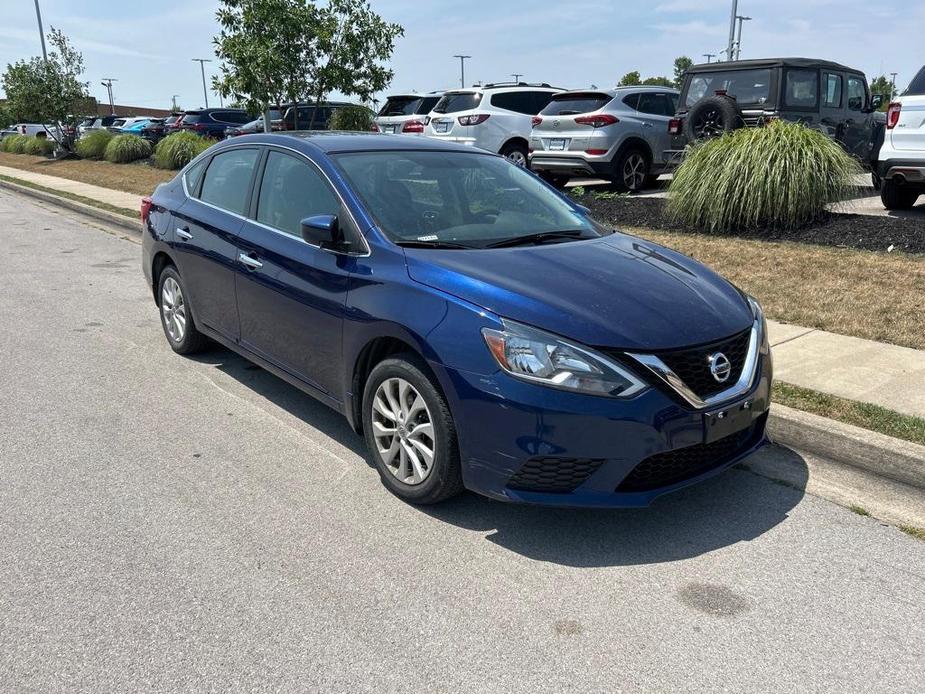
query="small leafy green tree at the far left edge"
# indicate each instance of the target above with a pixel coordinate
(48, 91)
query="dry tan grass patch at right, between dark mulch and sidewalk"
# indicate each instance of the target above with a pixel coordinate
(876, 296)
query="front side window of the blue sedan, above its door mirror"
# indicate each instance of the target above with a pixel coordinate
(291, 190)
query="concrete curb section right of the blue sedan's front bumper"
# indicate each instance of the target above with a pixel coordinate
(886, 456)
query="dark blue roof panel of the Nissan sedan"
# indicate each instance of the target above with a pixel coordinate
(331, 141)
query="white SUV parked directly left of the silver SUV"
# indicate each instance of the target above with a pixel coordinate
(496, 117)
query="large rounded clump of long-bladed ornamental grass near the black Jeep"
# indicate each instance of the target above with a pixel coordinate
(781, 176)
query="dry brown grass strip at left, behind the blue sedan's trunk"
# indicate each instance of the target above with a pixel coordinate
(131, 178)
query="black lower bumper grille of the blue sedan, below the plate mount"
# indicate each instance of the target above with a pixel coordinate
(671, 467)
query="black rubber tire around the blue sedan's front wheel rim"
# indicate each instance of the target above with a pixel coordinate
(444, 478)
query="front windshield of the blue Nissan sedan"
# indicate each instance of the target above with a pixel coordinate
(473, 200)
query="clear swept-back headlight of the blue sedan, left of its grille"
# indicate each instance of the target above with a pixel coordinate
(540, 357)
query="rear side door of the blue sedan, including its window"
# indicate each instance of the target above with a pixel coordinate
(207, 225)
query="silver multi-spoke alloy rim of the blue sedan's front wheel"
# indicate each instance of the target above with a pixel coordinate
(403, 430)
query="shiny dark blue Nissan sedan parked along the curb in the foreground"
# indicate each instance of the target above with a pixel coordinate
(479, 329)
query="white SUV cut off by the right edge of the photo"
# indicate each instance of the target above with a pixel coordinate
(902, 157)
